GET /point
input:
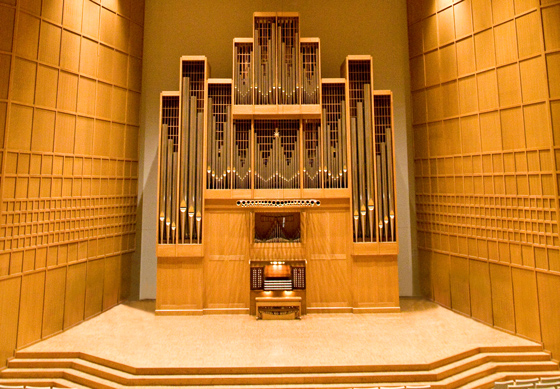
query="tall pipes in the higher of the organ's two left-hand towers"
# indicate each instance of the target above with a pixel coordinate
(192, 129)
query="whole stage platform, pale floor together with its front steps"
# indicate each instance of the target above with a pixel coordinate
(131, 346)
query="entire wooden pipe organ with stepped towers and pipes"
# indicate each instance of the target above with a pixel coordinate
(277, 183)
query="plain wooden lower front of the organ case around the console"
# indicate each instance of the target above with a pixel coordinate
(219, 280)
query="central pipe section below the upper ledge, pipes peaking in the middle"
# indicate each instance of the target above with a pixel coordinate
(277, 154)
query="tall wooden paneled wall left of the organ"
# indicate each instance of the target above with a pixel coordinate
(70, 76)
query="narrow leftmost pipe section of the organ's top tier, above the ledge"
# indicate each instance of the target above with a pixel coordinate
(243, 87)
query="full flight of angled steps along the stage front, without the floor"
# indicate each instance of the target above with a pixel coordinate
(477, 368)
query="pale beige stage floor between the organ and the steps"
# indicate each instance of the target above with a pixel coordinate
(132, 334)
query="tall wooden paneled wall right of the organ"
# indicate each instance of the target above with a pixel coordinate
(486, 101)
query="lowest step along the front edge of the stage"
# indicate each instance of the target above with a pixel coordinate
(101, 377)
